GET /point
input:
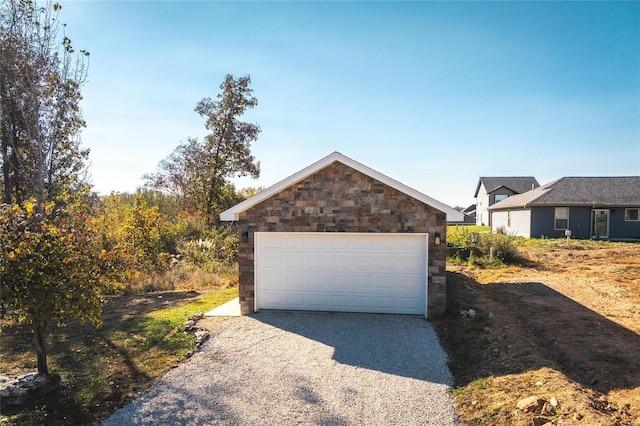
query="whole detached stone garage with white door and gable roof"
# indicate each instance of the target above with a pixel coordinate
(339, 236)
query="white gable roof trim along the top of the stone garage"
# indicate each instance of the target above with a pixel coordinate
(233, 213)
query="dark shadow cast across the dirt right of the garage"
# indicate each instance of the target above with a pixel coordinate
(520, 327)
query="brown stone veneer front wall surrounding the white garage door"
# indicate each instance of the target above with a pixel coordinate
(341, 199)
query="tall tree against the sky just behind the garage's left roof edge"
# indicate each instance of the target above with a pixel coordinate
(199, 171)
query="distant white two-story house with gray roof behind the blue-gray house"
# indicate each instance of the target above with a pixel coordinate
(491, 190)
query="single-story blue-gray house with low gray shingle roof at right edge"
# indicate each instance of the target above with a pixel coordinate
(589, 207)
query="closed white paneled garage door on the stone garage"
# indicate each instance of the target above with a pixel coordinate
(381, 273)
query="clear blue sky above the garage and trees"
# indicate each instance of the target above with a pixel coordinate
(432, 94)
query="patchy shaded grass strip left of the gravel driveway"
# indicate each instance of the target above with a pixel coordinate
(104, 369)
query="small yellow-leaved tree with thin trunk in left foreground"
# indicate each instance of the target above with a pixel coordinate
(51, 265)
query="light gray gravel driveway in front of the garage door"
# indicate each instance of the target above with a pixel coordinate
(306, 368)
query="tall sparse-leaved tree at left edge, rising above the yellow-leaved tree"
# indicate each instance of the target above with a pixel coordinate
(40, 120)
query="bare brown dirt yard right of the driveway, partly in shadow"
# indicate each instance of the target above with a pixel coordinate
(566, 326)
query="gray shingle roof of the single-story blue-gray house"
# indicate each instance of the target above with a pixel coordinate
(579, 191)
